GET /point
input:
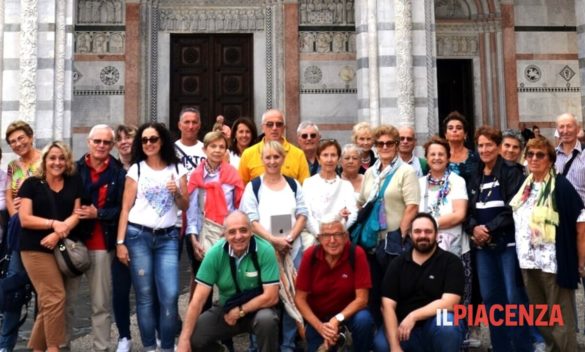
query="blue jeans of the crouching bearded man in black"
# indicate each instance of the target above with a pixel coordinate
(426, 338)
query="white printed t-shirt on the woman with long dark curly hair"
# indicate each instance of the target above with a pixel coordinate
(154, 206)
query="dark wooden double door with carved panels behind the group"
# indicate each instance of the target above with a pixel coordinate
(212, 72)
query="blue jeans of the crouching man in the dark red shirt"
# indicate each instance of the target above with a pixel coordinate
(362, 328)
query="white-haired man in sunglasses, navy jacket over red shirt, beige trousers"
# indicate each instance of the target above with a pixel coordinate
(102, 177)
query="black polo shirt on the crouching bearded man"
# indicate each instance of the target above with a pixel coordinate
(413, 286)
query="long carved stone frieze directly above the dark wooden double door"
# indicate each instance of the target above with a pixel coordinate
(212, 20)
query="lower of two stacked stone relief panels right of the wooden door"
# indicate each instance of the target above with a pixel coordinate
(327, 42)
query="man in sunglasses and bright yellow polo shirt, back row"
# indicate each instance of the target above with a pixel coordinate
(295, 163)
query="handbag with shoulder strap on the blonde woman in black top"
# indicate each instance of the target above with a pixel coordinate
(72, 256)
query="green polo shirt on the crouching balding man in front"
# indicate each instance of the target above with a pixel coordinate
(215, 268)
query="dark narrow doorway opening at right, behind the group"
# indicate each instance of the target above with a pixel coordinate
(455, 90)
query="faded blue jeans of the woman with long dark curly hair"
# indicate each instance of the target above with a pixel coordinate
(154, 268)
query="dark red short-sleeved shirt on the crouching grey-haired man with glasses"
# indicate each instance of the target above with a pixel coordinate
(330, 290)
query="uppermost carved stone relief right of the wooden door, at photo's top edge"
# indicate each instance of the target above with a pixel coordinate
(326, 12)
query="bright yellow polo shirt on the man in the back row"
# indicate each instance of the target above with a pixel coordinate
(295, 163)
